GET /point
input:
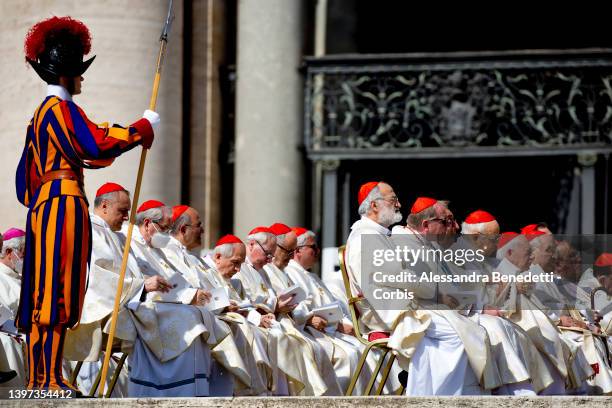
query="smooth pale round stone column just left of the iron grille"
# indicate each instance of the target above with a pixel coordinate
(269, 183)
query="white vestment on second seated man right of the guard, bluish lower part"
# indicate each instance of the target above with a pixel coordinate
(170, 335)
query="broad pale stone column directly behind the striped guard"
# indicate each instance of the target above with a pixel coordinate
(117, 89)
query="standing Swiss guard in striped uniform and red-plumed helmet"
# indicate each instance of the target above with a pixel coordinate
(60, 142)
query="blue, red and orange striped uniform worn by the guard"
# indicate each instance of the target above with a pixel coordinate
(58, 231)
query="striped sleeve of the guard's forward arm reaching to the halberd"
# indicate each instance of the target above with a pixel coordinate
(82, 140)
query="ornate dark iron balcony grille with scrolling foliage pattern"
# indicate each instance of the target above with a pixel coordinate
(459, 104)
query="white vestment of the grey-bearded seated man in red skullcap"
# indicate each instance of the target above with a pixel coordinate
(420, 337)
